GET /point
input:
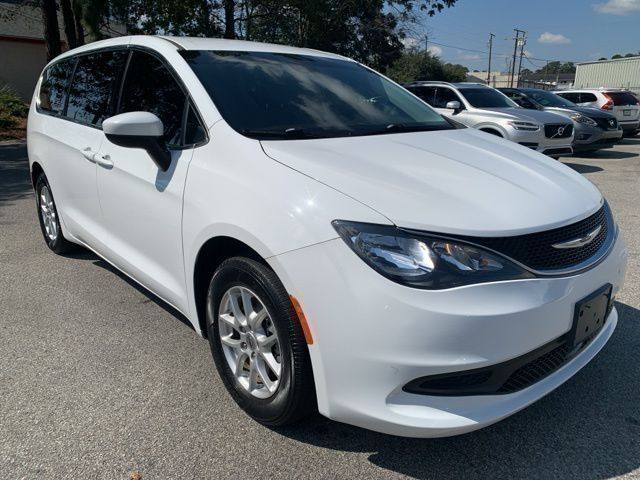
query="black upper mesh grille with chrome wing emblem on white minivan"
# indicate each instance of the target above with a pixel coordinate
(535, 250)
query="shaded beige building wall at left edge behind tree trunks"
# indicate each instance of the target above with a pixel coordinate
(21, 64)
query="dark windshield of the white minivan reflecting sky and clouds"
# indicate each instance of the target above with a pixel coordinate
(267, 95)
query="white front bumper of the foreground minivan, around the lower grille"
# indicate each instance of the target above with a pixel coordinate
(372, 337)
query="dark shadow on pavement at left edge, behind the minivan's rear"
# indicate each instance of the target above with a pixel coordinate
(14, 173)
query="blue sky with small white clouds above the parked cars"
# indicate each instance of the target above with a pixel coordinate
(567, 30)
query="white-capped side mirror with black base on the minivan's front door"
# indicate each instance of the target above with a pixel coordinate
(139, 130)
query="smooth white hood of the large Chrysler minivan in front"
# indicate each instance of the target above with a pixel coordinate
(453, 181)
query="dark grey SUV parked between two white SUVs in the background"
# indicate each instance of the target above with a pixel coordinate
(594, 129)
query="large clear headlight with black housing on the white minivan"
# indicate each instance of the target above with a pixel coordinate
(422, 261)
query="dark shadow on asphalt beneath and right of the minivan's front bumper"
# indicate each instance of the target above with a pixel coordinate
(587, 429)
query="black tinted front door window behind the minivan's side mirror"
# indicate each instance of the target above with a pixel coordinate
(150, 87)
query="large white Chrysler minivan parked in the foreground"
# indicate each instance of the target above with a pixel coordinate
(344, 248)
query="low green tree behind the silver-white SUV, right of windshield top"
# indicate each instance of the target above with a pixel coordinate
(422, 65)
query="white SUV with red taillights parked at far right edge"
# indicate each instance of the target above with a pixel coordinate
(622, 103)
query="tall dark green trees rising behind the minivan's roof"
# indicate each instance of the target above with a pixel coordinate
(369, 31)
